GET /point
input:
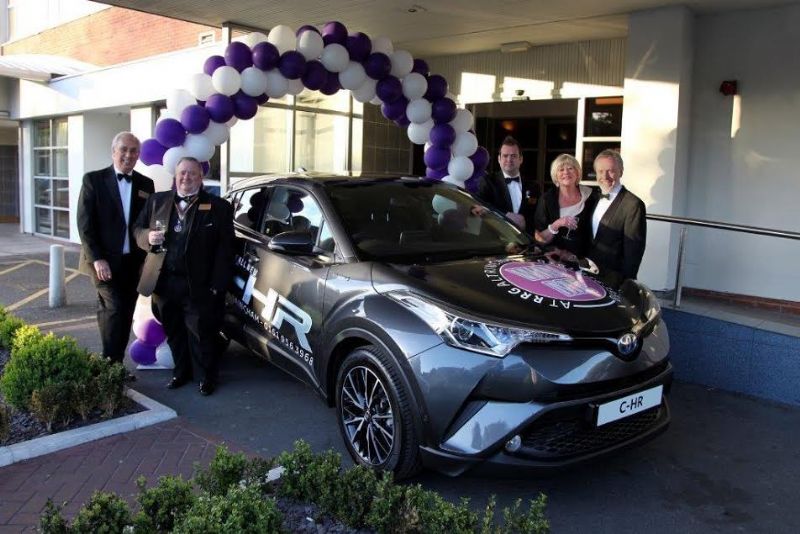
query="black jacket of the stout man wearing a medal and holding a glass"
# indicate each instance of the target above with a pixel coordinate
(209, 245)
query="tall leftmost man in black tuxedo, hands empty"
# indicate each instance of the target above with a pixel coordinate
(109, 203)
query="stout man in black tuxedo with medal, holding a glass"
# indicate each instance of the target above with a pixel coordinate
(187, 270)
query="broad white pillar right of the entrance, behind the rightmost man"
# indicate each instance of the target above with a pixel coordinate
(655, 128)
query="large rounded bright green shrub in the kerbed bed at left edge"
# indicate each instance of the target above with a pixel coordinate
(38, 362)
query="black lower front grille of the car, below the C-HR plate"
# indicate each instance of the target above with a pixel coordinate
(557, 439)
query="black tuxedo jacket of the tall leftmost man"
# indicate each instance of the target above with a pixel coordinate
(101, 219)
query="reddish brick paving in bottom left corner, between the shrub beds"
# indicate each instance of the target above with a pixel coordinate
(110, 464)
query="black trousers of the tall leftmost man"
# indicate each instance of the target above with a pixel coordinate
(116, 302)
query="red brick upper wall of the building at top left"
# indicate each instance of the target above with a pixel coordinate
(112, 36)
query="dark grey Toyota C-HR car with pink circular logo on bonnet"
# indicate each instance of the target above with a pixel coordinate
(440, 333)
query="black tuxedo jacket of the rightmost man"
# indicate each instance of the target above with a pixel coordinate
(620, 239)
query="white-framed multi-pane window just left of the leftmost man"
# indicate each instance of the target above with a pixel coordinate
(51, 177)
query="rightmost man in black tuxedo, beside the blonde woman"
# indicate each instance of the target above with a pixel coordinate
(619, 226)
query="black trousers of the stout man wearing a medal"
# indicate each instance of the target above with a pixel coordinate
(191, 332)
